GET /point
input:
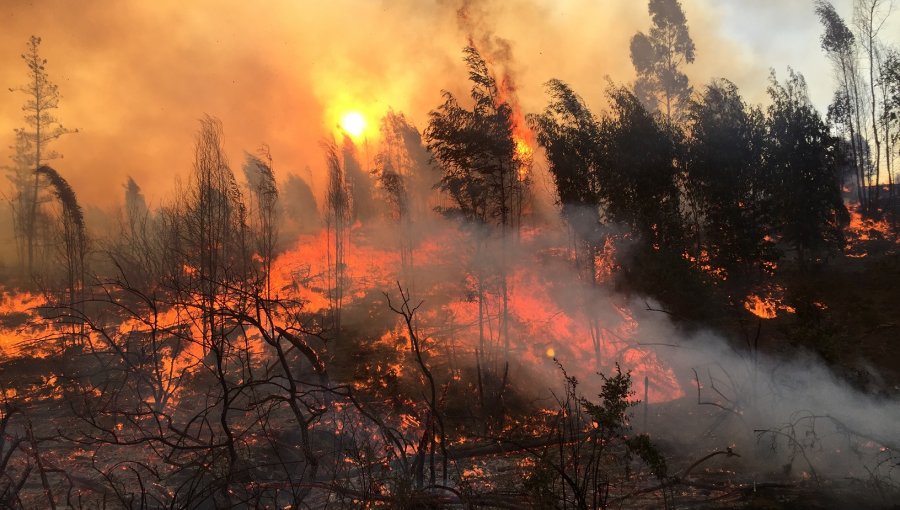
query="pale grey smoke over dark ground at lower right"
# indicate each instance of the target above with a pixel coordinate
(787, 415)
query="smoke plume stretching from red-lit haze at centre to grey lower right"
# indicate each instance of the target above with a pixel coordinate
(787, 415)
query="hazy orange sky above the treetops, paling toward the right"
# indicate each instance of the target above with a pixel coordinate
(136, 75)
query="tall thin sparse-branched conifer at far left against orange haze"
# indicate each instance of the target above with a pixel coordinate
(43, 128)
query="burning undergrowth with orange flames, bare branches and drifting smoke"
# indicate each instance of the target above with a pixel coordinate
(418, 387)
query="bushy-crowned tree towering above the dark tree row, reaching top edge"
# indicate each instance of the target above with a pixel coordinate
(658, 57)
